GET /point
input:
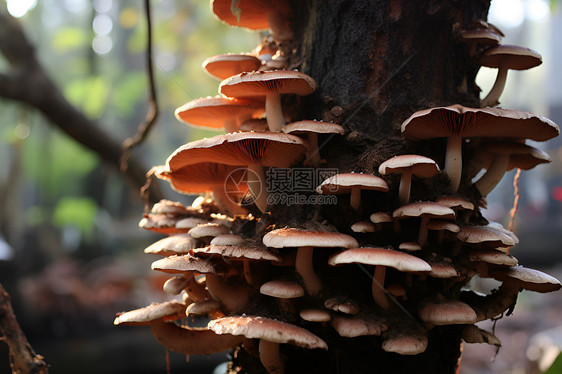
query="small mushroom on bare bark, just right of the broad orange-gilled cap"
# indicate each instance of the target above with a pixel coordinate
(311, 129)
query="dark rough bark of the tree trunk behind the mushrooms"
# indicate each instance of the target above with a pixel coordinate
(376, 62)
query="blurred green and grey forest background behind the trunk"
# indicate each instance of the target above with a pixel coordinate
(71, 252)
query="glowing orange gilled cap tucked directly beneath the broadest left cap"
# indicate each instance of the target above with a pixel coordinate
(205, 176)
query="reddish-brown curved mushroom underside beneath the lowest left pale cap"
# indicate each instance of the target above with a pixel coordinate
(191, 341)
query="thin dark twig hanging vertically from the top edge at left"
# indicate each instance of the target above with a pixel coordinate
(150, 119)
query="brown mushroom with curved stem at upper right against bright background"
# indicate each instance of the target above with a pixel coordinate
(505, 57)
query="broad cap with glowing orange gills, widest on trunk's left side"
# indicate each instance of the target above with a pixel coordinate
(246, 148)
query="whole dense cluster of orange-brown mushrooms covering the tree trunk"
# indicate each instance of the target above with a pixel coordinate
(399, 276)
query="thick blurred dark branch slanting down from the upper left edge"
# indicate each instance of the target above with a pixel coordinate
(28, 83)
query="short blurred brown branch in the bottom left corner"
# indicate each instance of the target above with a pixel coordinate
(23, 358)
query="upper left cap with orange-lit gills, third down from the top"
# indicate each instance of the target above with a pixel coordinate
(262, 83)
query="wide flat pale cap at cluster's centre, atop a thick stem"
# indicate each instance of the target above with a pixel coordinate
(292, 237)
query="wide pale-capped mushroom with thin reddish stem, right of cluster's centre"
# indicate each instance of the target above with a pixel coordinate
(381, 258)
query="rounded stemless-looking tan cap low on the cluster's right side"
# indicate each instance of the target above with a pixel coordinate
(452, 312)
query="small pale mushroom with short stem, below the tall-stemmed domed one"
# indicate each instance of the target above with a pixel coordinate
(426, 210)
